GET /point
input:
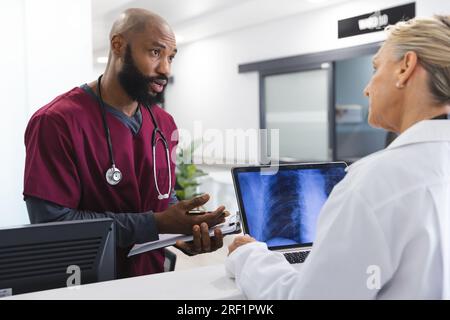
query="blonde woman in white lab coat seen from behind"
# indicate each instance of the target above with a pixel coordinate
(384, 232)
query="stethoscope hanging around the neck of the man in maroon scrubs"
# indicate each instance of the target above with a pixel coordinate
(114, 175)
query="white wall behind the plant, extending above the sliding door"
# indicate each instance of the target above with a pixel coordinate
(208, 87)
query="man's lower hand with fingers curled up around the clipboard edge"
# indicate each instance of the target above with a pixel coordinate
(202, 242)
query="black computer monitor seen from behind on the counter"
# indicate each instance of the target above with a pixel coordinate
(43, 256)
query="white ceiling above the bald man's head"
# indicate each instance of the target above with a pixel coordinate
(196, 19)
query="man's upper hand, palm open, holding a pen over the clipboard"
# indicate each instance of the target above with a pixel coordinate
(177, 220)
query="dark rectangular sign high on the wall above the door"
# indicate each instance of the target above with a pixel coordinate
(375, 21)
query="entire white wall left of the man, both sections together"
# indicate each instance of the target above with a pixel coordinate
(47, 50)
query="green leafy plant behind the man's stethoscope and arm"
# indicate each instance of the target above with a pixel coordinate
(187, 173)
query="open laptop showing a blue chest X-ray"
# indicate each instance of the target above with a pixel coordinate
(282, 208)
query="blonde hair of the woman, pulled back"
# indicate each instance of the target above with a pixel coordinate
(429, 38)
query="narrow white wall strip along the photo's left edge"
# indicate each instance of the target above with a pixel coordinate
(14, 111)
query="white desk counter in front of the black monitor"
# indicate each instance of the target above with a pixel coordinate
(205, 283)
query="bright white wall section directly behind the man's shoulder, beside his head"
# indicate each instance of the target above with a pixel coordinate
(59, 48)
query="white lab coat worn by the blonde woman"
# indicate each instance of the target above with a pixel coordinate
(389, 217)
